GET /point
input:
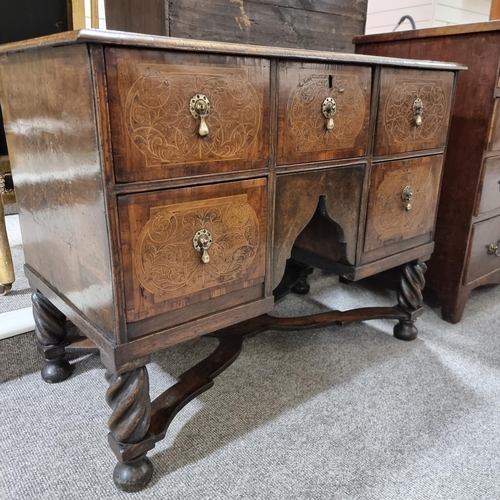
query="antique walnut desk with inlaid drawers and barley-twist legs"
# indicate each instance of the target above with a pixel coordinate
(163, 184)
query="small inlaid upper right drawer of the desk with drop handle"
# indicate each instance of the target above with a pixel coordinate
(414, 110)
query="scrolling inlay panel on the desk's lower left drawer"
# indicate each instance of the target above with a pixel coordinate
(166, 262)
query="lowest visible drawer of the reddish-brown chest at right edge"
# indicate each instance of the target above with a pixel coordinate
(483, 259)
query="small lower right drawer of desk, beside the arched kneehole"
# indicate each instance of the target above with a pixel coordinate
(389, 219)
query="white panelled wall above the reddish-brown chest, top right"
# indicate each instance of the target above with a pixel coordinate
(383, 15)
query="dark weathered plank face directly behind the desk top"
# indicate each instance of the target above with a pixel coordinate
(266, 24)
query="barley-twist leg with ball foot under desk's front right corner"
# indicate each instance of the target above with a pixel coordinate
(410, 298)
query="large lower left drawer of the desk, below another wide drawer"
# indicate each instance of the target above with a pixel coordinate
(162, 269)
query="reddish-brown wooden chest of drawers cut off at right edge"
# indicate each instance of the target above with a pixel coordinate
(468, 223)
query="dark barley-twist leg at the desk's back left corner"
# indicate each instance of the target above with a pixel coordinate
(50, 331)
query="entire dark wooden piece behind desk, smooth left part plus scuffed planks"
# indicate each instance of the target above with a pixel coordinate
(318, 25)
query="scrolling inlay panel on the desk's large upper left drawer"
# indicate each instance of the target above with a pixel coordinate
(161, 126)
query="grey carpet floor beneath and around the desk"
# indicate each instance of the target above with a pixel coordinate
(334, 413)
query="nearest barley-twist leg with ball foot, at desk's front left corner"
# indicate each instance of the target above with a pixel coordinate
(128, 397)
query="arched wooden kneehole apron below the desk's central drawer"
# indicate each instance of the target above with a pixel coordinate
(297, 200)
